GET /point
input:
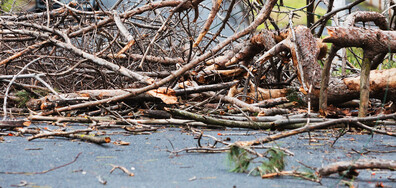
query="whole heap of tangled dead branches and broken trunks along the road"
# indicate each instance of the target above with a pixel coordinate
(158, 63)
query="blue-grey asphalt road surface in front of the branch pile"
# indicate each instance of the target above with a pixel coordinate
(147, 157)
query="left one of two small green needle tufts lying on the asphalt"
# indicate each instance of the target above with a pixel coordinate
(238, 159)
